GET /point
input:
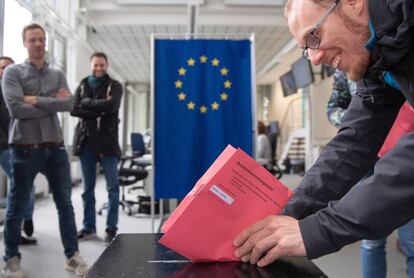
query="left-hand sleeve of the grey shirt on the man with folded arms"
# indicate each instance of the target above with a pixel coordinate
(13, 97)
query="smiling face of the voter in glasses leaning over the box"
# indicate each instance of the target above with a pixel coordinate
(343, 36)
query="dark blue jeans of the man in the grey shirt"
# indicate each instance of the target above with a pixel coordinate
(53, 162)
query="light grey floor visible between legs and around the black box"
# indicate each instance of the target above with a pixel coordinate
(46, 259)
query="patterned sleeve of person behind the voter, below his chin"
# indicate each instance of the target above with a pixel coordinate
(339, 100)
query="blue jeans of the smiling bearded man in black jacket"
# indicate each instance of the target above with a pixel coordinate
(110, 168)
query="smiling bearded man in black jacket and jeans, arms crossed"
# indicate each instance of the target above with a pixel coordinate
(97, 102)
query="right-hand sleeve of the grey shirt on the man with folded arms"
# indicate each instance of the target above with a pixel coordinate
(53, 104)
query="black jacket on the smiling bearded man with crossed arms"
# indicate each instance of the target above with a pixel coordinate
(98, 109)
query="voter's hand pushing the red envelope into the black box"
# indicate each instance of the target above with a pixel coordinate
(269, 239)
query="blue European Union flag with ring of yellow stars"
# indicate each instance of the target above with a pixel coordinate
(202, 102)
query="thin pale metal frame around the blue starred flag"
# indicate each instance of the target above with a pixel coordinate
(192, 36)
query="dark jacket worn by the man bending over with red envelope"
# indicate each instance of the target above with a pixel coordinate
(333, 209)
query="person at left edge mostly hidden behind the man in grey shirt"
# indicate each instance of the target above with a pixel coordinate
(5, 158)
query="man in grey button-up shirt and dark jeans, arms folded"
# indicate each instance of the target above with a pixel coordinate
(34, 93)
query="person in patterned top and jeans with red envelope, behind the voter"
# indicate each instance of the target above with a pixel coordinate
(373, 252)
